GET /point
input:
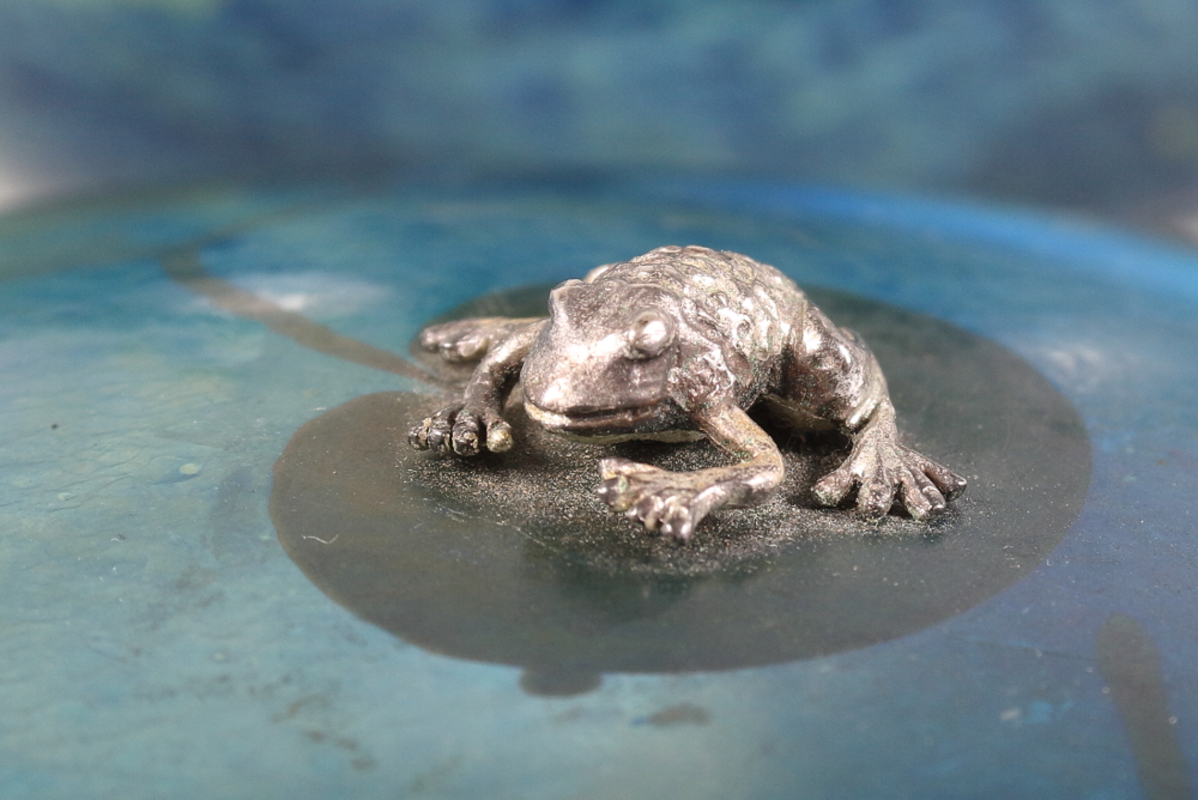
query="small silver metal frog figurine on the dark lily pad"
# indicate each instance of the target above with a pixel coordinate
(682, 344)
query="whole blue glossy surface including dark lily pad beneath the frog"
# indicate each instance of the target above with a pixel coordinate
(225, 573)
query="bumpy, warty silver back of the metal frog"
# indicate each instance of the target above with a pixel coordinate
(737, 304)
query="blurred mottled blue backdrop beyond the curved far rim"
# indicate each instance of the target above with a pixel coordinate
(1064, 104)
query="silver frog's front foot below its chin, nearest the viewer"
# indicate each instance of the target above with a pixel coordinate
(670, 502)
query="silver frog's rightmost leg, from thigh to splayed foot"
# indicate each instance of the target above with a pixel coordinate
(838, 380)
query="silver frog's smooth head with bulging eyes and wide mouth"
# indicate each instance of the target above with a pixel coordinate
(602, 366)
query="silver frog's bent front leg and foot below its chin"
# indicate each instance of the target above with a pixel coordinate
(676, 502)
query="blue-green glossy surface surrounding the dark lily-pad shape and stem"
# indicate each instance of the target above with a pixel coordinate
(158, 641)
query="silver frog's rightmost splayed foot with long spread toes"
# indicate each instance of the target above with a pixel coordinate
(884, 471)
